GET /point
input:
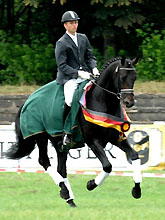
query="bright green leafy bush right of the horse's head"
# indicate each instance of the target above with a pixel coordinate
(152, 64)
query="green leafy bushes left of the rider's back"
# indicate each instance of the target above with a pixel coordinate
(24, 64)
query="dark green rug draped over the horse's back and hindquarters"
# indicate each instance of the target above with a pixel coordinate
(43, 111)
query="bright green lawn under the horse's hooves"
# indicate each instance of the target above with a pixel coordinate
(31, 196)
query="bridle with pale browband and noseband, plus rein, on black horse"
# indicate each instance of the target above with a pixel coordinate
(118, 95)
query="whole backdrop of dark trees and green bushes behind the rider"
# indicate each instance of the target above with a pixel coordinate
(29, 30)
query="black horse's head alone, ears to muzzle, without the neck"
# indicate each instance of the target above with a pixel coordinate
(127, 74)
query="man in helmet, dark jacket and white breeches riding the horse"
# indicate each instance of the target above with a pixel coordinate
(75, 61)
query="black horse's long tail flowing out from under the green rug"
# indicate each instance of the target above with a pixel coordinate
(22, 147)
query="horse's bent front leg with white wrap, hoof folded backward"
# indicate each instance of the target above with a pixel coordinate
(98, 150)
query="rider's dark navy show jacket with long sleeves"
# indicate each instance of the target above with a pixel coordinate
(70, 58)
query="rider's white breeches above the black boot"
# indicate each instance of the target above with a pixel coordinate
(69, 89)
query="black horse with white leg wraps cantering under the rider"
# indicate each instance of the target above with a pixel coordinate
(114, 85)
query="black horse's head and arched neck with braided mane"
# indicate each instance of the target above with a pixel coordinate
(117, 77)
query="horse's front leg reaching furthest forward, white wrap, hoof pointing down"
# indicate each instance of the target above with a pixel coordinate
(133, 157)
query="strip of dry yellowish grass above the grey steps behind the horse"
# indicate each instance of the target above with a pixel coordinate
(149, 87)
